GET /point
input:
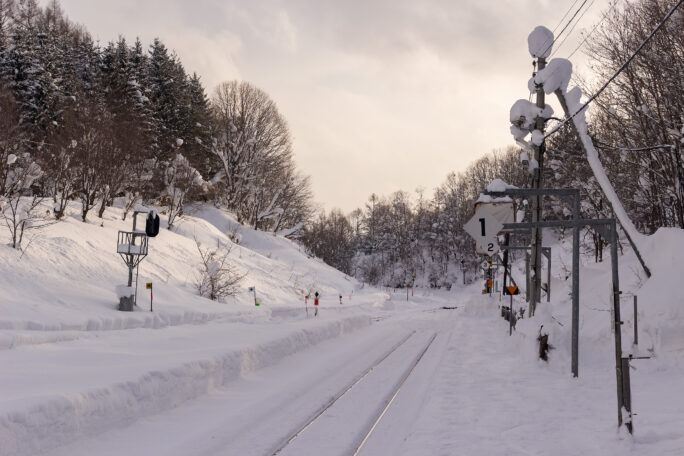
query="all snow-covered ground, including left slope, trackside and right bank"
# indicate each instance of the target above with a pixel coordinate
(198, 377)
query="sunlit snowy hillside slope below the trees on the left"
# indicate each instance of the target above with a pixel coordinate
(67, 274)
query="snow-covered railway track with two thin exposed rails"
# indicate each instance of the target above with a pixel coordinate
(345, 422)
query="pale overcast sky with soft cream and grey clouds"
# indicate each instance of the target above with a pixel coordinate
(379, 95)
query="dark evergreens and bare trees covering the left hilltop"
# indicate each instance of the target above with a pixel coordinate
(82, 121)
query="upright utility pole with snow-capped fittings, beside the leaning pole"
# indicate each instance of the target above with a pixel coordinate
(537, 182)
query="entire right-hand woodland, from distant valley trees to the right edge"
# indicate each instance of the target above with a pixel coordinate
(637, 124)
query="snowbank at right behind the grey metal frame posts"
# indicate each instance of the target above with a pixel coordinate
(660, 302)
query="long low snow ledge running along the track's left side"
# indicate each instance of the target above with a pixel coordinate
(63, 419)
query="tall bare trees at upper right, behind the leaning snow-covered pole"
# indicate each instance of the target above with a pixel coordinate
(638, 119)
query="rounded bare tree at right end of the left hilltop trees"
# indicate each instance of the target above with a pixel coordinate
(252, 144)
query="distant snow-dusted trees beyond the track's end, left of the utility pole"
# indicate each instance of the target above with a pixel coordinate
(392, 238)
